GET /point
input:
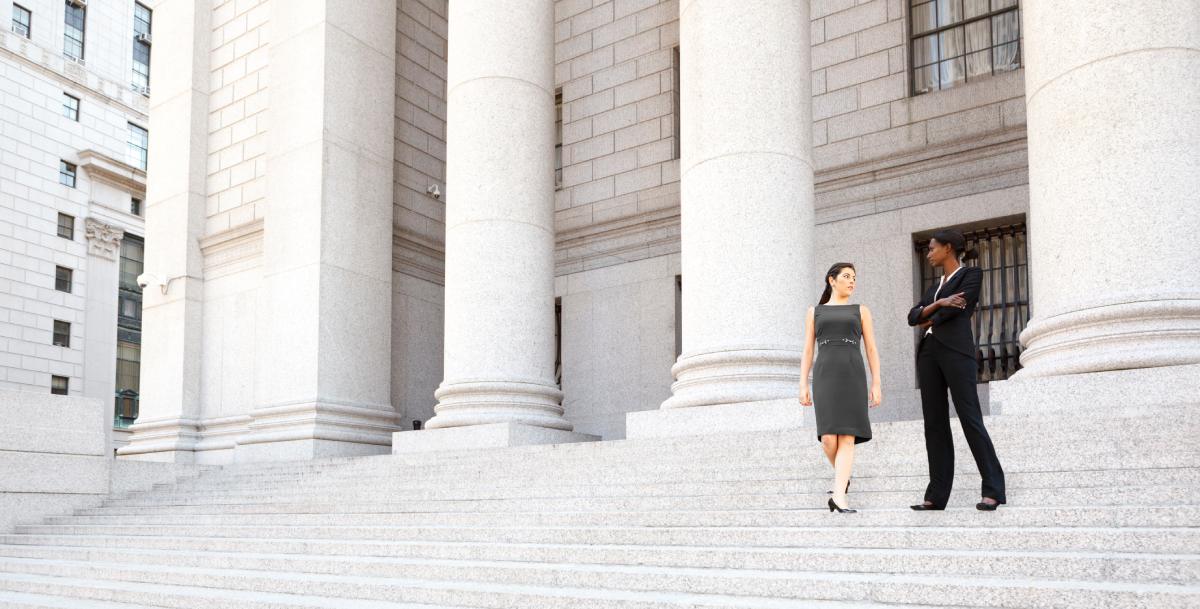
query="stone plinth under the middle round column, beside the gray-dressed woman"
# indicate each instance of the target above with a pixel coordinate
(723, 419)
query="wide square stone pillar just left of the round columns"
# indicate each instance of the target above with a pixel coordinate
(325, 369)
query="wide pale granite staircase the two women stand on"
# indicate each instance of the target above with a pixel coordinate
(1103, 514)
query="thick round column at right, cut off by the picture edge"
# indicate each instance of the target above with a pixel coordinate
(1113, 100)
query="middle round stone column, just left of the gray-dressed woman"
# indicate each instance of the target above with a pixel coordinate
(747, 207)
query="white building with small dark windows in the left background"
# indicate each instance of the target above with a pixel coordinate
(73, 184)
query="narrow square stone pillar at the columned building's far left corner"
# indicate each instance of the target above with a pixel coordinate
(172, 316)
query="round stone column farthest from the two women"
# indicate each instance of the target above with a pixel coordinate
(500, 313)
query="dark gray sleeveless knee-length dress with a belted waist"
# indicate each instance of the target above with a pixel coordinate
(839, 378)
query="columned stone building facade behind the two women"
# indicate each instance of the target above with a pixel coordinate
(565, 218)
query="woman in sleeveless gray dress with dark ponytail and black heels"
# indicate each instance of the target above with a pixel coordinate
(839, 381)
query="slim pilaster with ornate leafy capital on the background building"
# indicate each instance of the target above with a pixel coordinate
(100, 317)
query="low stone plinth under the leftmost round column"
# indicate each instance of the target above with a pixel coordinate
(494, 436)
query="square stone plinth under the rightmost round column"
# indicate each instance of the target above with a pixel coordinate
(1099, 394)
